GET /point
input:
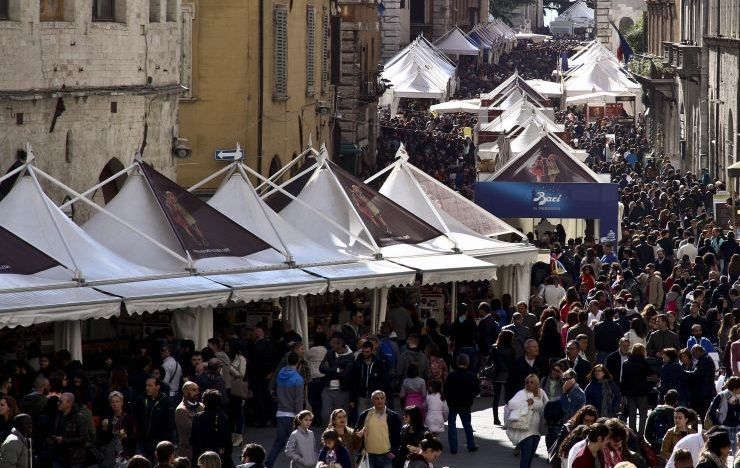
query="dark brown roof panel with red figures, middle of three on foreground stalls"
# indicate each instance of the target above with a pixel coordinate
(202, 230)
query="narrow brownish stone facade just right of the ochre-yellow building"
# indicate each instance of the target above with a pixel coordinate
(358, 88)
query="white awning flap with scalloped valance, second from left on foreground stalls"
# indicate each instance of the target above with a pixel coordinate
(170, 293)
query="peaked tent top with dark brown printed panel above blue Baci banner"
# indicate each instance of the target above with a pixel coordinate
(548, 160)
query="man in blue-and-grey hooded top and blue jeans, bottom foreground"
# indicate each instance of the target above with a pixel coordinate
(290, 403)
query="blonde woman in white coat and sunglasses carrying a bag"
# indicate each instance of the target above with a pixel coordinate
(525, 421)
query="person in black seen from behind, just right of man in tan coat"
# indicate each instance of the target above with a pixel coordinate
(211, 430)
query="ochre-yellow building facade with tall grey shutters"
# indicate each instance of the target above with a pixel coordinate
(260, 74)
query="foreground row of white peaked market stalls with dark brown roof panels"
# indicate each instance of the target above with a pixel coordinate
(156, 246)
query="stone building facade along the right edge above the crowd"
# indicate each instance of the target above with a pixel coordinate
(700, 110)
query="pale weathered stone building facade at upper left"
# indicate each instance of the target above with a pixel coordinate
(89, 83)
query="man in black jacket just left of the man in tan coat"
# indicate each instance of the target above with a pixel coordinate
(154, 414)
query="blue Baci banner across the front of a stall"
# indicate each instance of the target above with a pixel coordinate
(542, 200)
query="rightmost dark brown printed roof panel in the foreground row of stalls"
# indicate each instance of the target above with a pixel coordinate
(387, 221)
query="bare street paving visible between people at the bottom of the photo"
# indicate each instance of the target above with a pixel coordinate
(495, 449)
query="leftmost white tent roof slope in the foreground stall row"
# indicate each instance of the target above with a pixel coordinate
(32, 216)
